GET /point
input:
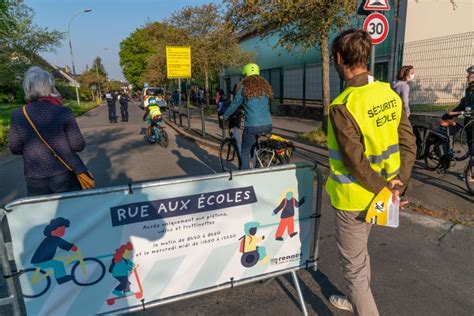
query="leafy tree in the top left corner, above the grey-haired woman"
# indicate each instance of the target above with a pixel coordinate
(20, 43)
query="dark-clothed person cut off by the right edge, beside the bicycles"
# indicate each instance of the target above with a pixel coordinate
(464, 107)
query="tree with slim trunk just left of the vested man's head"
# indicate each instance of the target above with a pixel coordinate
(300, 24)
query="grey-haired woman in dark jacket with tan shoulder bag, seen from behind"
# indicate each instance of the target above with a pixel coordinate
(47, 135)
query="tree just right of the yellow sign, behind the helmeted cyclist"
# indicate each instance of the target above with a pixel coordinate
(213, 42)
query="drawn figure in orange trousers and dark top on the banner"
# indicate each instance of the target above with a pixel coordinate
(287, 208)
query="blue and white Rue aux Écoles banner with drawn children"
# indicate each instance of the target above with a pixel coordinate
(114, 250)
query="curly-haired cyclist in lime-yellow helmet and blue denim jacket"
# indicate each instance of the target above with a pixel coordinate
(254, 94)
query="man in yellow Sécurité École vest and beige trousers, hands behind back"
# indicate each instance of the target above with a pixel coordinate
(371, 146)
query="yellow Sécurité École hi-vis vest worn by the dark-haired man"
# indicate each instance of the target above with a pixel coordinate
(377, 110)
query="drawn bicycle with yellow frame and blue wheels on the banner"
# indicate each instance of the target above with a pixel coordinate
(84, 272)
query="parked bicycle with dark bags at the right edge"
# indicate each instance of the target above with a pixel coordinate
(440, 148)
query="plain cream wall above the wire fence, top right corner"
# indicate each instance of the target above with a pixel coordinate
(435, 18)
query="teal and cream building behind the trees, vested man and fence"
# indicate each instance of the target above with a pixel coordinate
(296, 76)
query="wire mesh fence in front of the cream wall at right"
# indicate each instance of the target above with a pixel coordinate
(440, 68)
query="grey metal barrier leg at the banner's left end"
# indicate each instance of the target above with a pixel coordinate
(13, 297)
